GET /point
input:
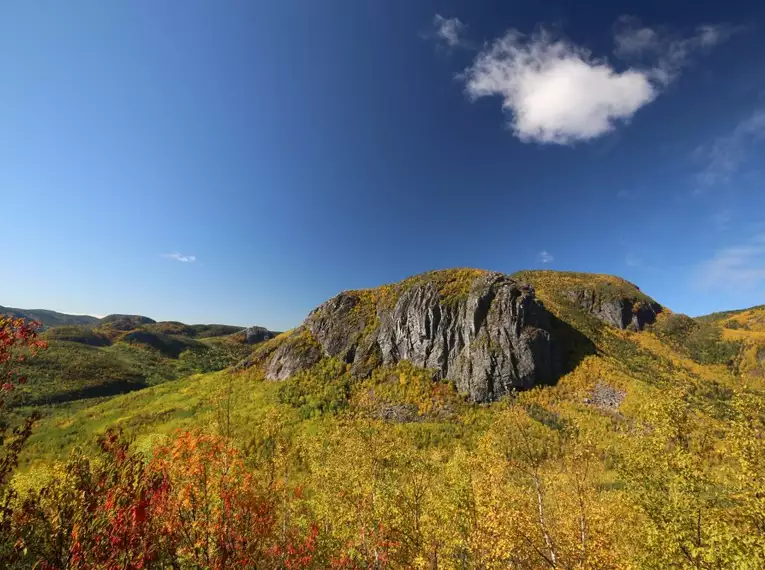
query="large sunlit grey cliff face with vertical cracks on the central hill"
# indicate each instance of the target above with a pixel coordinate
(490, 340)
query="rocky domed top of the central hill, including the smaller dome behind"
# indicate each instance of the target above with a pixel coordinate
(485, 331)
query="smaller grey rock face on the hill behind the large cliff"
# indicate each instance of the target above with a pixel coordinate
(621, 312)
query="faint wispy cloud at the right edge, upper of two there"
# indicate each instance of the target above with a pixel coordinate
(727, 154)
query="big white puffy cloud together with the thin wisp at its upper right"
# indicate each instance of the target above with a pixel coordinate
(558, 92)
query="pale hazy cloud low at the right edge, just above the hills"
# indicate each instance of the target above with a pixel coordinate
(735, 268)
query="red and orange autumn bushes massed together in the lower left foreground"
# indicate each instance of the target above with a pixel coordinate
(194, 504)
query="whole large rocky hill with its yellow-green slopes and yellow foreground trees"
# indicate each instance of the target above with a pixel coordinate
(443, 417)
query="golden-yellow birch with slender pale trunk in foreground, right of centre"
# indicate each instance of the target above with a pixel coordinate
(537, 498)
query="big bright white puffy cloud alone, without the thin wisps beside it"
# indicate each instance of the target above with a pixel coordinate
(555, 91)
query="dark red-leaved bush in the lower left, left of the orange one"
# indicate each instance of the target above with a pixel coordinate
(105, 514)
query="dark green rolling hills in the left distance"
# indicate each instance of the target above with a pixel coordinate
(123, 353)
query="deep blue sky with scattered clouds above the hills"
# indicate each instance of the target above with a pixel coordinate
(241, 161)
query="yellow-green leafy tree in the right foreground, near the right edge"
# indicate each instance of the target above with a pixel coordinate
(669, 464)
